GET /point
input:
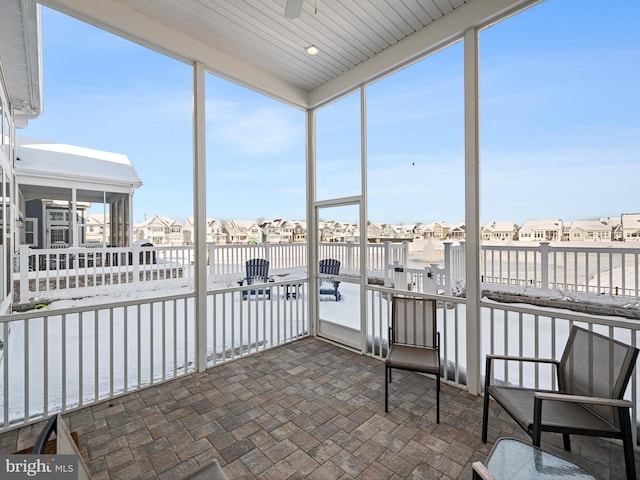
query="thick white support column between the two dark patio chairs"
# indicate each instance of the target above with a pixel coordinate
(472, 207)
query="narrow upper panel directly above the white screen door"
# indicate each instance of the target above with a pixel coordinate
(338, 157)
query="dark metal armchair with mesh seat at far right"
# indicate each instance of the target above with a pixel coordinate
(592, 377)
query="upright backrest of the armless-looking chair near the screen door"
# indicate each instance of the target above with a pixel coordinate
(414, 321)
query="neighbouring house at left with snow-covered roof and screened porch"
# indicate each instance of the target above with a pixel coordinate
(59, 182)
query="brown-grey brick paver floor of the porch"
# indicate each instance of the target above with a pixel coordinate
(308, 409)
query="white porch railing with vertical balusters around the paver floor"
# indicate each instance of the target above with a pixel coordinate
(65, 359)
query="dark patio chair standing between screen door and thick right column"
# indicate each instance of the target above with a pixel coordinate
(414, 342)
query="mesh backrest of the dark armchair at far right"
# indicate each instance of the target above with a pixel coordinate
(595, 365)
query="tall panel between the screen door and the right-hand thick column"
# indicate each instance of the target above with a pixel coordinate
(415, 170)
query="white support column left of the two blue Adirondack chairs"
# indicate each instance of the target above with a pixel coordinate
(200, 219)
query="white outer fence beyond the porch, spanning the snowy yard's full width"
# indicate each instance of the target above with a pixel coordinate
(585, 268)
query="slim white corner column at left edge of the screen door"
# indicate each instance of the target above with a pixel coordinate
(312, 223)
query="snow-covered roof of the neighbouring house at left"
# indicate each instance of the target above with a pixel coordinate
(58, 161)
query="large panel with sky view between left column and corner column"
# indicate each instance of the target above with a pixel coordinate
(255, 162)
